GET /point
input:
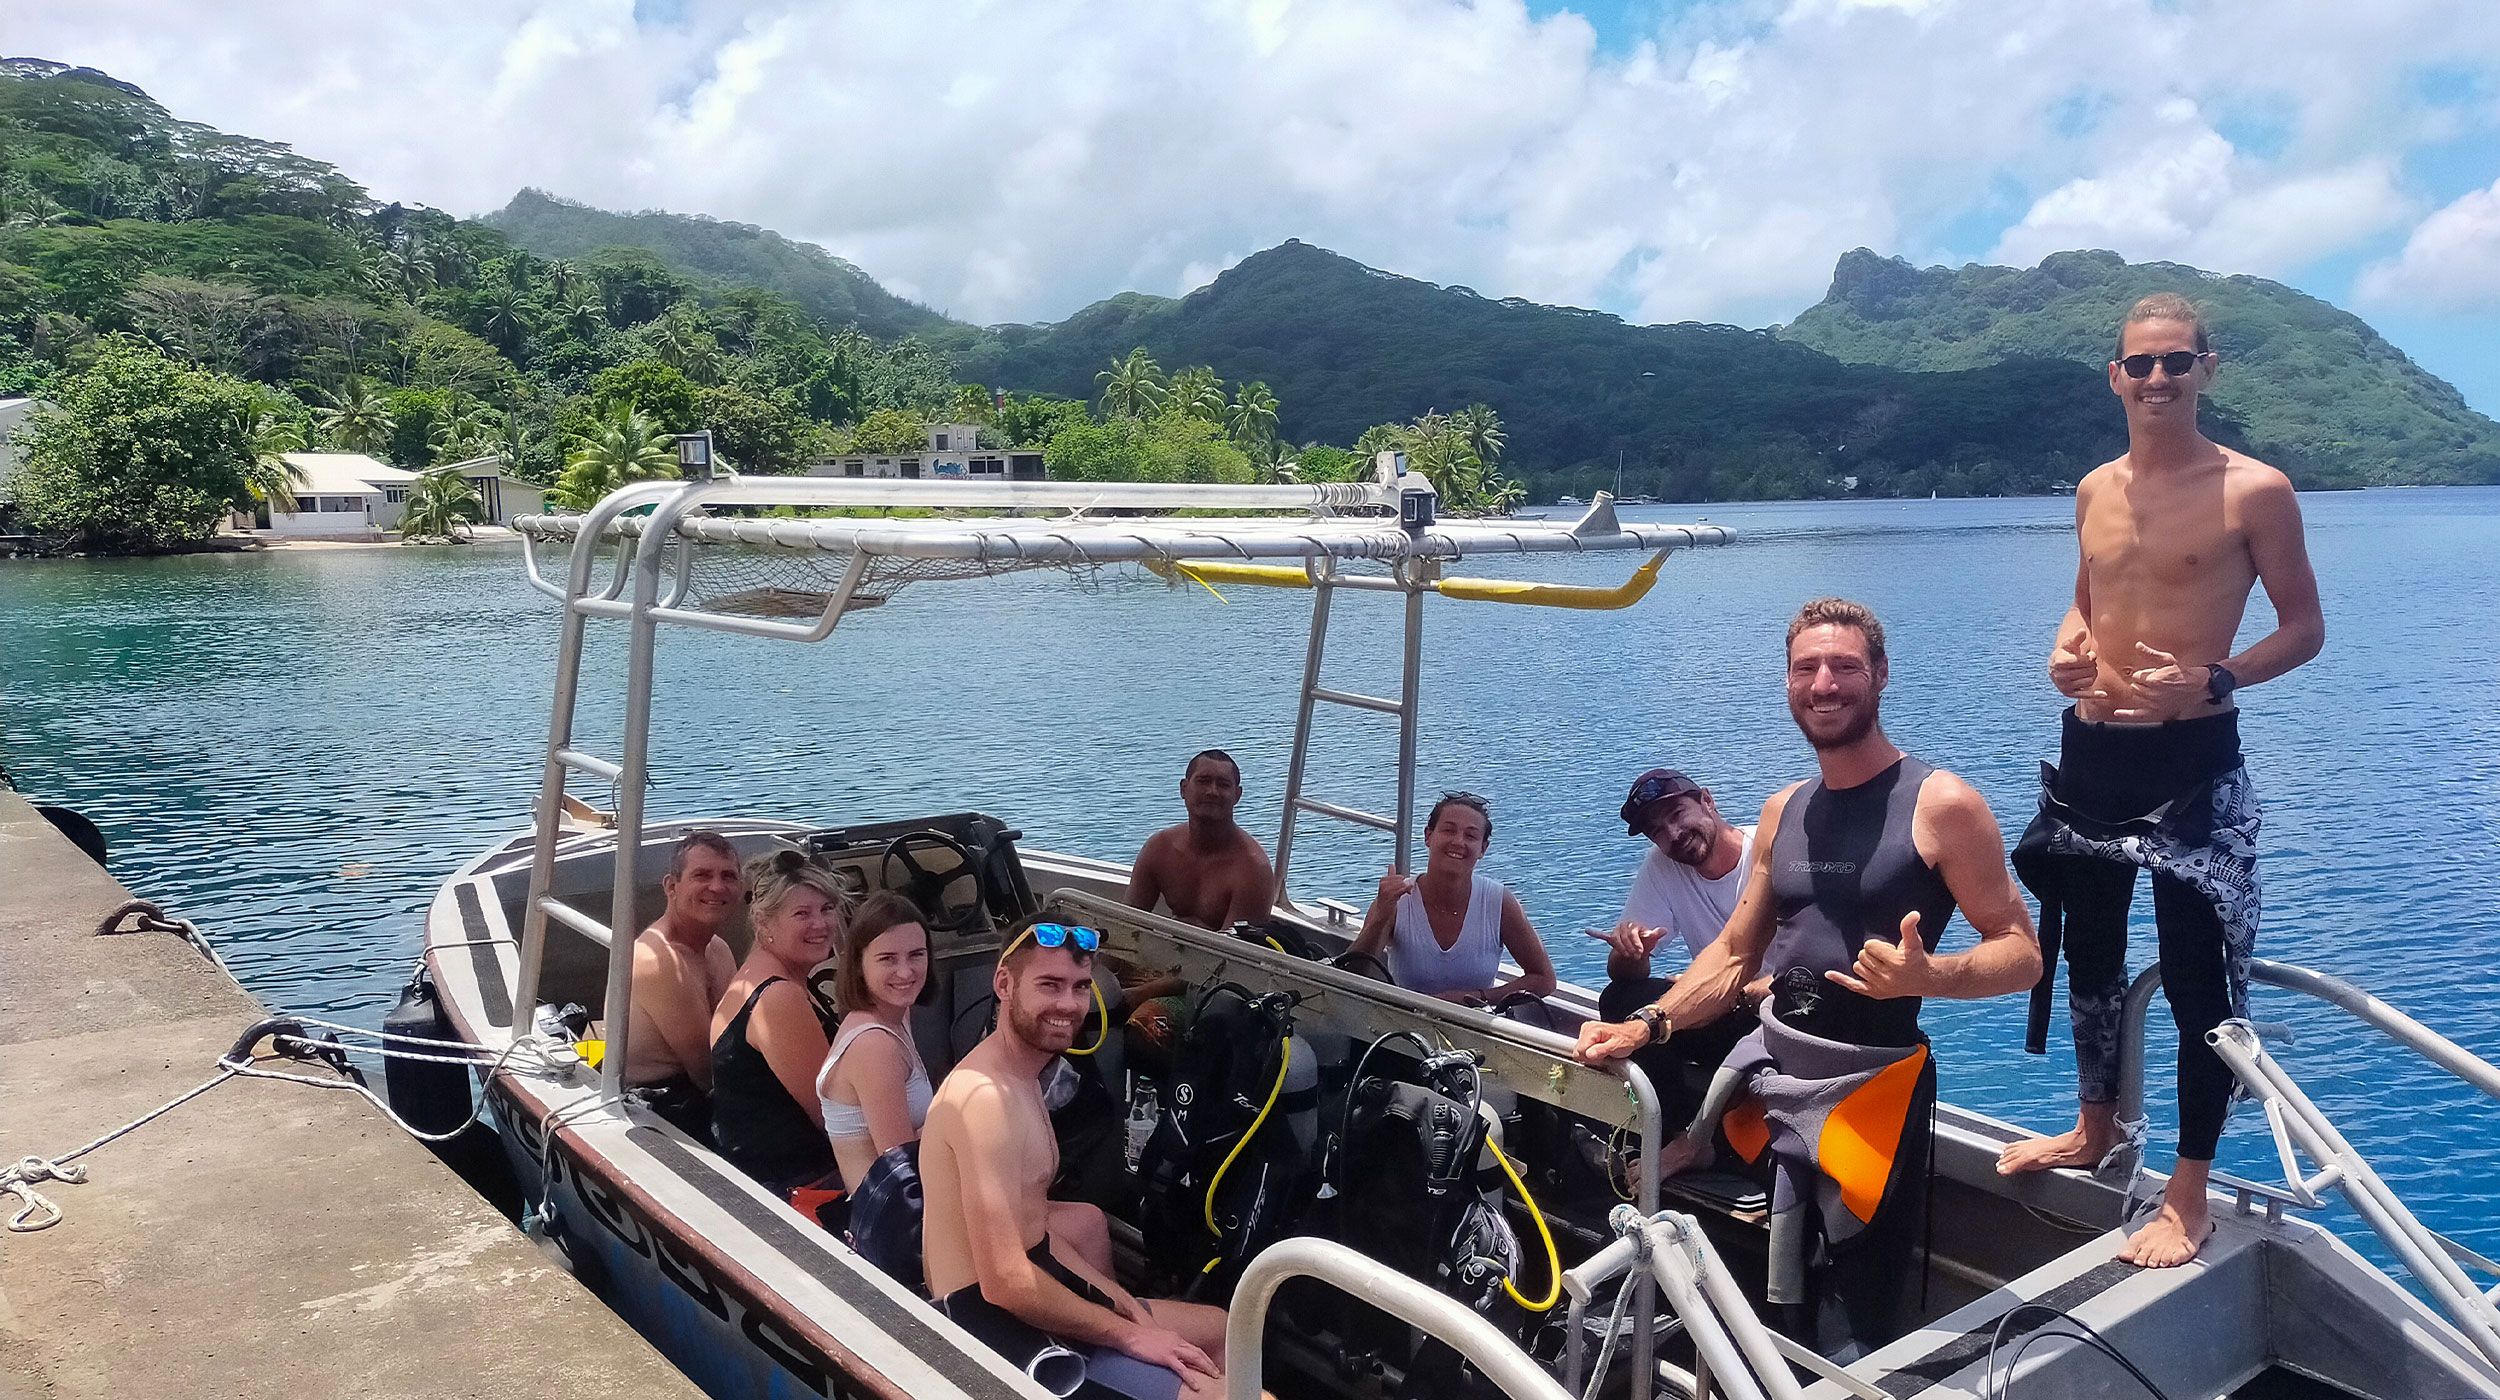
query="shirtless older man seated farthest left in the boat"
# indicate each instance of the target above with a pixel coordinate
(681, 971)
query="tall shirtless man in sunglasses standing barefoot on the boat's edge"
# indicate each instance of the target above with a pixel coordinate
(2174, 536)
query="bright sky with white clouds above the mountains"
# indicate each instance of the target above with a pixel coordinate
(1019, 159)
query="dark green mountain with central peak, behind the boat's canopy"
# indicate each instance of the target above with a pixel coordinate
(1696, 411)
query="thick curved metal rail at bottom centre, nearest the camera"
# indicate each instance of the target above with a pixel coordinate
(1441, 1316)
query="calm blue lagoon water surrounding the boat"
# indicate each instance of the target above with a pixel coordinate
(296, 749)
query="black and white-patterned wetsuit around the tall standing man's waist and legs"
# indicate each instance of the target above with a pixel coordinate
(2174, 801)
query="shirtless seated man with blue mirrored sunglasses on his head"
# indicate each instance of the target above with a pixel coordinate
(986, 1166)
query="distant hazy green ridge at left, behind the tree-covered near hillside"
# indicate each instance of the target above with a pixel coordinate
(726, 254)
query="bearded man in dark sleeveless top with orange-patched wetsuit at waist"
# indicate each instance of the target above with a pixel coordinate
(1851, 881)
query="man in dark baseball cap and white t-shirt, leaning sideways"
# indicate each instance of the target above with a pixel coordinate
(1686, 889)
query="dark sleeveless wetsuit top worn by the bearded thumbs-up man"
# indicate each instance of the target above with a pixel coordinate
(1846, 871)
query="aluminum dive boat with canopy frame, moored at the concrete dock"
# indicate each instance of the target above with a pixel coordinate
(1626, 1289)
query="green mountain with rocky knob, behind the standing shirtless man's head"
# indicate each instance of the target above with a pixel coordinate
(2314, 389)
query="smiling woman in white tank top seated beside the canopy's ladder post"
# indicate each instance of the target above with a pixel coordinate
(1446, 931)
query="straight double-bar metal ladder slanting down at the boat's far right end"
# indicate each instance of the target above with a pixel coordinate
(2301, 1129)
